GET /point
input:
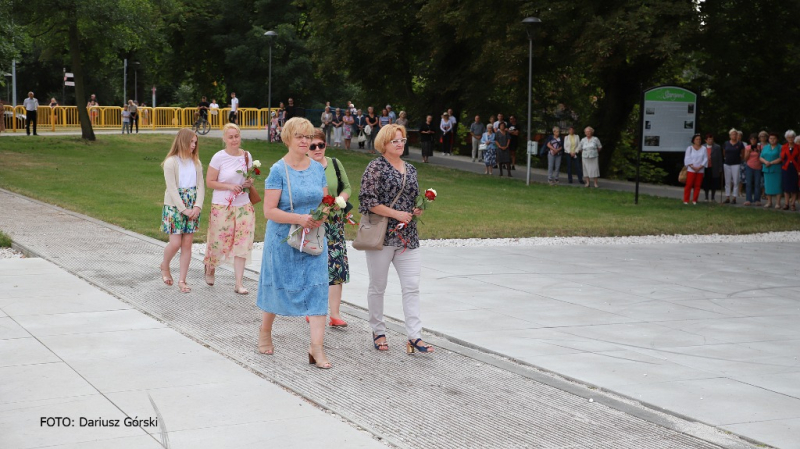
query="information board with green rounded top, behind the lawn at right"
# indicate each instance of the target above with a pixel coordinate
(668, 119)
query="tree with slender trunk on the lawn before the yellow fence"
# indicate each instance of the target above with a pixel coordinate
(81, 27)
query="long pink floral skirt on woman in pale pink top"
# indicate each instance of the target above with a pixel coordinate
(230, 234)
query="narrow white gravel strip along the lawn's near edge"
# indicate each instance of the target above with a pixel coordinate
(769, 237)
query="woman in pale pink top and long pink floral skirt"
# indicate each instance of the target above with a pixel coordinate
(232, 219)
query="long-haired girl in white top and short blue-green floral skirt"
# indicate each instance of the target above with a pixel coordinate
(183, 201)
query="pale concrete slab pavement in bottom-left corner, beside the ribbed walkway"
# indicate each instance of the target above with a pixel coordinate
(70, 350)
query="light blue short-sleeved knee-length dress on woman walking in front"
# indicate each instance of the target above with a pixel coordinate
(293, 283)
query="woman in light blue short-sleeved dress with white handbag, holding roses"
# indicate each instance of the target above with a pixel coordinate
(293, 283)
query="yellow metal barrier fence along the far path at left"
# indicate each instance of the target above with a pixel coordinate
(110, 117)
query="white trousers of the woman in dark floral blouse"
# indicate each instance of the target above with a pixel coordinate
(408, 265)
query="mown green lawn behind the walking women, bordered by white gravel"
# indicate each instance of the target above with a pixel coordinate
(118, 179)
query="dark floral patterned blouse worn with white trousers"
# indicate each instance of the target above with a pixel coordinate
(380, 184)
